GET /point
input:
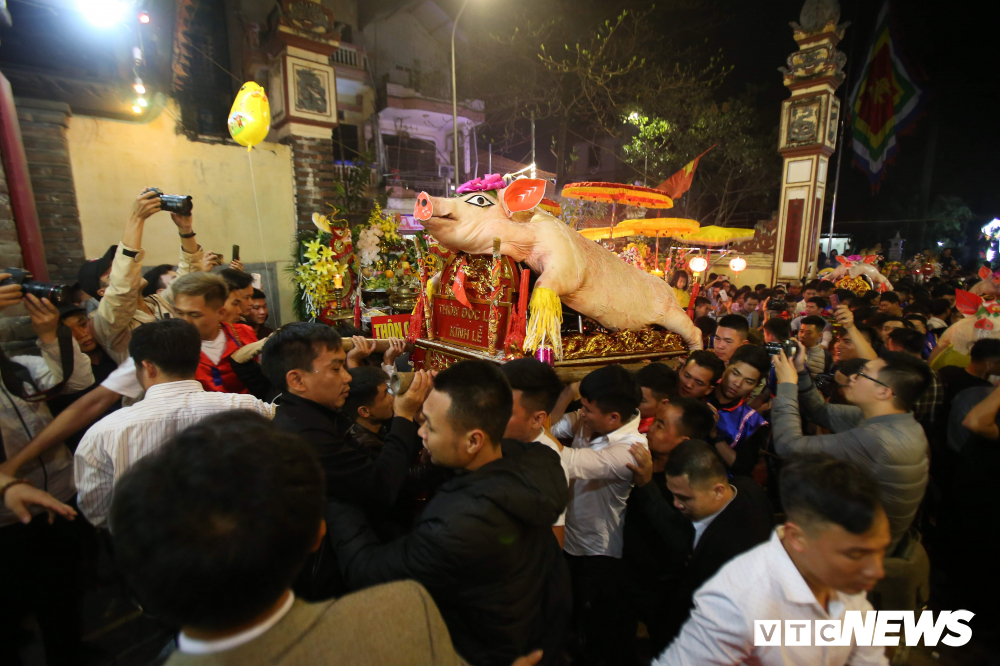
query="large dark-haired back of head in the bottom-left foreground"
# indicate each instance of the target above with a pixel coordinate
(213, 528)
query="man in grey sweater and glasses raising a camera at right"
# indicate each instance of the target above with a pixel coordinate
(877, 431)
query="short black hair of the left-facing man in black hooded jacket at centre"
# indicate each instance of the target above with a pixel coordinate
(480, 397)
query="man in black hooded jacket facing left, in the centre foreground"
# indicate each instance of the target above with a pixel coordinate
(484, 546)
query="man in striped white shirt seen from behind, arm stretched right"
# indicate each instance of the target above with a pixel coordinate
(166, 354)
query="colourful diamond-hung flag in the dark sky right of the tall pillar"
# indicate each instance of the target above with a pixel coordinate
(884, 102)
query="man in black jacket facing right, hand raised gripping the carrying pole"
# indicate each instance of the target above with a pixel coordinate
(306, 361)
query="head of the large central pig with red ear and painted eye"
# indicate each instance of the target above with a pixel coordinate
(470, 221)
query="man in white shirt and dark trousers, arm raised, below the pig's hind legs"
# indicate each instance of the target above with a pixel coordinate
(597, 464)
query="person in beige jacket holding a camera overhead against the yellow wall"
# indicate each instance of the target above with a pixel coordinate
(116, 278)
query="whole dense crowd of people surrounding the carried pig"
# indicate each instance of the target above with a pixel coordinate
(269, 499)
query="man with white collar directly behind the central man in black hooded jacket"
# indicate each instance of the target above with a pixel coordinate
(536, 389)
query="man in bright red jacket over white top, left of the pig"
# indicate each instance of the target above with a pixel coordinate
(200, 299)
